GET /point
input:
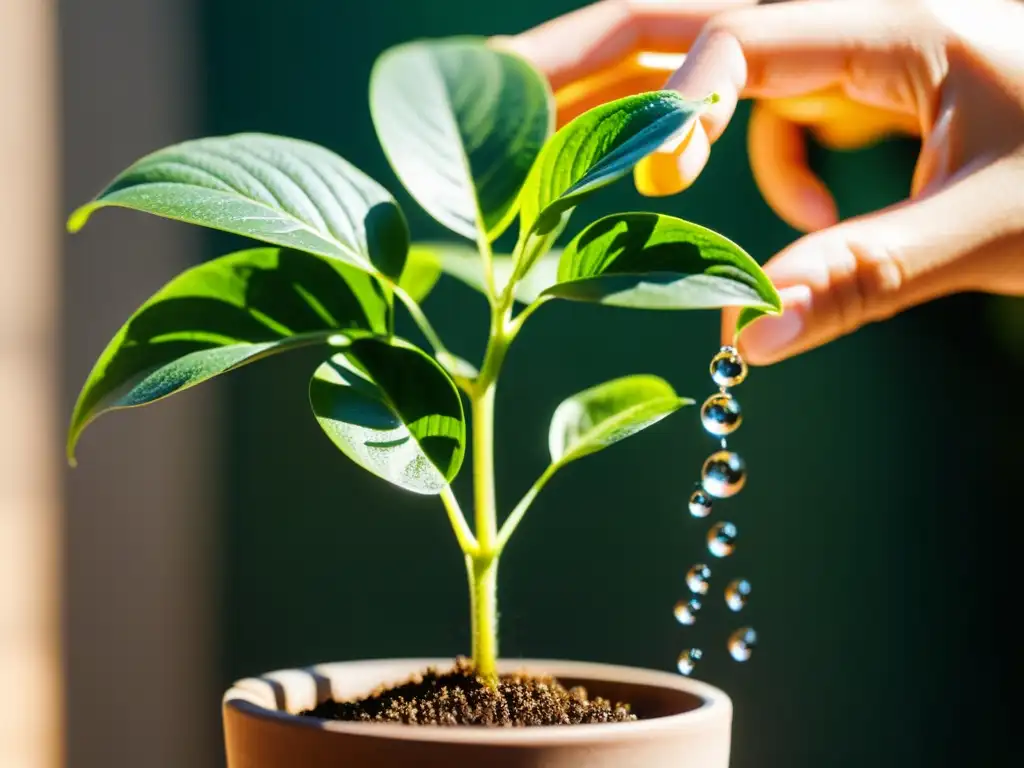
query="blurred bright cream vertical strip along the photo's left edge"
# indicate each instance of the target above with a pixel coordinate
(30, 499)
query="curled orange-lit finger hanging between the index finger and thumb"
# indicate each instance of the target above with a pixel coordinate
(779, 159)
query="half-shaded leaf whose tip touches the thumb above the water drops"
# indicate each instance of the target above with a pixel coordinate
(652, 262)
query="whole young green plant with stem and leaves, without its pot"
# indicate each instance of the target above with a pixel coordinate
(470, 133)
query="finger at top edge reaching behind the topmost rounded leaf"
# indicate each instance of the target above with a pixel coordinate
(587, 41)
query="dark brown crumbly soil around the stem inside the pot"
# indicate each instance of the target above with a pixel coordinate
(458, 697)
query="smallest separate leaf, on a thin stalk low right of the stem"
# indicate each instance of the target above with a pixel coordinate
(602, 416)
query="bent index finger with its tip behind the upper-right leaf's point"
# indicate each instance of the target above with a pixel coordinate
(798, 49)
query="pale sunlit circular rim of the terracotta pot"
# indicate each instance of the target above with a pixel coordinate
(266, 697)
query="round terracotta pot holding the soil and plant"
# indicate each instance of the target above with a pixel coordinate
(687, 724)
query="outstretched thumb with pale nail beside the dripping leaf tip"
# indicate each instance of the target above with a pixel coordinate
(866, 270)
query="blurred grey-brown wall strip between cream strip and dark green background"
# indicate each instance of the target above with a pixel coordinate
(141, 590)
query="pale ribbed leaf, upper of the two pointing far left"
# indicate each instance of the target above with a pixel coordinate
(279, 191)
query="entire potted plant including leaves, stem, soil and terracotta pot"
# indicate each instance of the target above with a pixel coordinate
(470, 132)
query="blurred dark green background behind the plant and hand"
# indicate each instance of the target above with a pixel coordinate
(874, 527)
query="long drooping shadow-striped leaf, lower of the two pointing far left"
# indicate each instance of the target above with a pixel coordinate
(224, 315)
